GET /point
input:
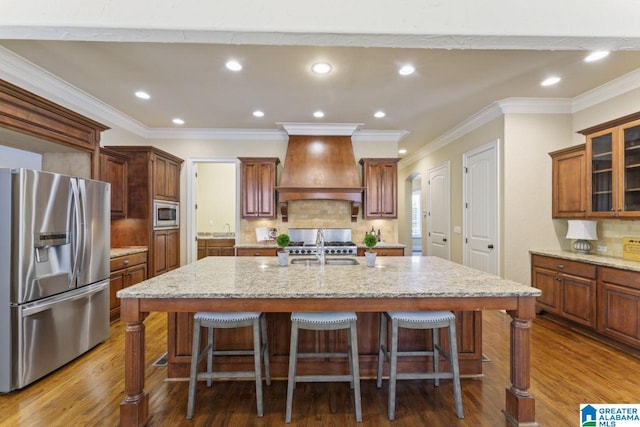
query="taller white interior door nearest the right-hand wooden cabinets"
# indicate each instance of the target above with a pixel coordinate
(480, 202)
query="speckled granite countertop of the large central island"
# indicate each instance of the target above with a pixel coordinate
(262, 277)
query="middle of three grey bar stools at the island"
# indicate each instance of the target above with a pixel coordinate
(325, 322)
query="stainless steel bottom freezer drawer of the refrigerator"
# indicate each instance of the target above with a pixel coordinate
(54, 331)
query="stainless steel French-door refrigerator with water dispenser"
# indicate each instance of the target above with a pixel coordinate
(54, 272)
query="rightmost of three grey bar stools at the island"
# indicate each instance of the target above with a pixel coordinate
(433, 320)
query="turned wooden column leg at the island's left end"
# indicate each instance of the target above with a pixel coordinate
(134, 408)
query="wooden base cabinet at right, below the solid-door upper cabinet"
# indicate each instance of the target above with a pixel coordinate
(568, 288)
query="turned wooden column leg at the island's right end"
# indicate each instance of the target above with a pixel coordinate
(520, 405)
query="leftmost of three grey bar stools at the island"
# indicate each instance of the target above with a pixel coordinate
(226, 320)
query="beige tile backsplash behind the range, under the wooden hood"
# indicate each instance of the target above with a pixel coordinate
(321, 213)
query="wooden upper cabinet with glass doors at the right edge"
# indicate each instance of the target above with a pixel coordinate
(613, 168)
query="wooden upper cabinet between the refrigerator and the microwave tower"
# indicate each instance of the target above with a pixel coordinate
(113, 169)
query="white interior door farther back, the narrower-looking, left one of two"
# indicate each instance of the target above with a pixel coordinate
(439, 211)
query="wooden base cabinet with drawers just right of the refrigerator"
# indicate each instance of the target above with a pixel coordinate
(126, 271)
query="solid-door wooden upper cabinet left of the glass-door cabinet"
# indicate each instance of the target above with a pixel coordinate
(569, 185)
